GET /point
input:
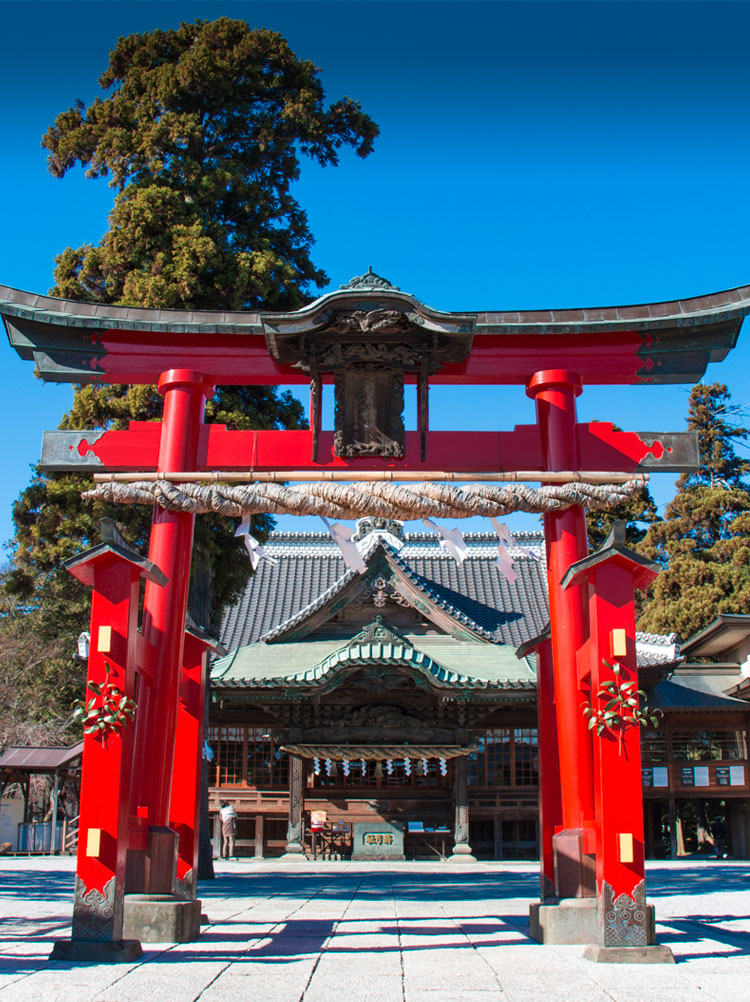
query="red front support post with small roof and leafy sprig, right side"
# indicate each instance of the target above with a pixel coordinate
(610, 578)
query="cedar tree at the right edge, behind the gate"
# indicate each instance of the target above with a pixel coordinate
(704, 542)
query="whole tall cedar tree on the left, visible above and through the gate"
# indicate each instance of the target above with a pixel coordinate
(201, 137)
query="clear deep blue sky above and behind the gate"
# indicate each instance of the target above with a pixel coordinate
(532, 156)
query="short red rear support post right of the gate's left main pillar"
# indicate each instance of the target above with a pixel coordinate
(185, 805)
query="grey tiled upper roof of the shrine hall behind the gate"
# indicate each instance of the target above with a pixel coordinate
(311, 571)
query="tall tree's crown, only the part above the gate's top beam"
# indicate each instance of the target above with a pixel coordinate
(202, 137)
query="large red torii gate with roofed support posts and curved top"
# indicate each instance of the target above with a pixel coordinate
(369, 338)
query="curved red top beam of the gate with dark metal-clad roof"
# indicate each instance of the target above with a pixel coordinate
(654, 343)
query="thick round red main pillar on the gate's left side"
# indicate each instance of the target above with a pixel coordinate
(185, 393)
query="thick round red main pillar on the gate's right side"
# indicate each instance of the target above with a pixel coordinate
(555, 393)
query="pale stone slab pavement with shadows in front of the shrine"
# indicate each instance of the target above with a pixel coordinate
(399, 932)
